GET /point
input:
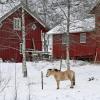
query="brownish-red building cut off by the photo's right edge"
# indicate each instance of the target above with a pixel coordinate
(96, 12)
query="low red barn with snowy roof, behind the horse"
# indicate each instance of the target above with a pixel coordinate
(82, 40)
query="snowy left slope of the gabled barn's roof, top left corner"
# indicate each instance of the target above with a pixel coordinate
(5, 8)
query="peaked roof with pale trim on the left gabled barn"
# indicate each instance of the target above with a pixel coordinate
(16, 6)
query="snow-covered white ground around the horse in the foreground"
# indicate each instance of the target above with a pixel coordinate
(30, 88)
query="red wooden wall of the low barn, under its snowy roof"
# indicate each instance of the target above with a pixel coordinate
(77, 49)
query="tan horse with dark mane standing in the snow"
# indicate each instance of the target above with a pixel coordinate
(62, 75)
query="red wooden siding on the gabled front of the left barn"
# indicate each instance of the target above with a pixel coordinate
(10, 41)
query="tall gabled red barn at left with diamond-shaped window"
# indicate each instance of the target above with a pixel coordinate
(11, 35)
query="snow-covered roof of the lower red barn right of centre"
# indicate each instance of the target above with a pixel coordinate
(75, 26)
